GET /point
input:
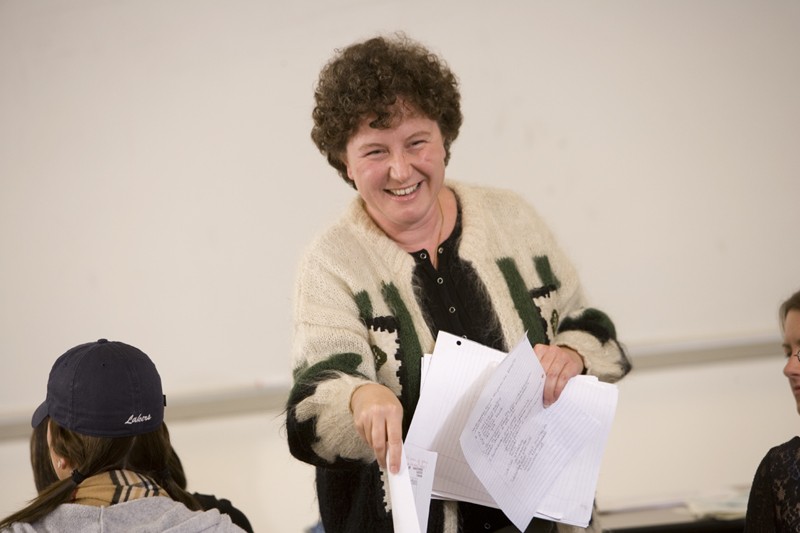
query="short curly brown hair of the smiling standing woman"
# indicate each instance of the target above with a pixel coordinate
(367, 79)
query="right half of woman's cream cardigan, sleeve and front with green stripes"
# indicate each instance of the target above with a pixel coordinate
(535, 287)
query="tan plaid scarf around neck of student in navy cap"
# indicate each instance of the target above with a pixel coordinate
(115, 486)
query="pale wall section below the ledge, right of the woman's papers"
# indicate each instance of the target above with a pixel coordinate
(689, 432)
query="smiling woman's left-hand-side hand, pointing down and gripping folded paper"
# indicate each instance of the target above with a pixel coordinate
(378, 417)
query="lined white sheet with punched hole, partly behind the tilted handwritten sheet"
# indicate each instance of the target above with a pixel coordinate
(457, 371)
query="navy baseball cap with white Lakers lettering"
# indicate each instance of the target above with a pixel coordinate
(104, 389)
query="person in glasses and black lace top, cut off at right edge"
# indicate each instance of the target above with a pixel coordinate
(773, 505)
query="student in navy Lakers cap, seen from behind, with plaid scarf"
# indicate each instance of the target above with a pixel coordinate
(105, 405)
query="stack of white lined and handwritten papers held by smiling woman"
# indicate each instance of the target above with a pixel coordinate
(481, 434)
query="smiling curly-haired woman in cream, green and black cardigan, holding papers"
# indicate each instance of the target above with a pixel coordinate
(415, 254)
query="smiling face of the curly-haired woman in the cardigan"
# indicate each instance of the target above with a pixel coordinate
(398, 171)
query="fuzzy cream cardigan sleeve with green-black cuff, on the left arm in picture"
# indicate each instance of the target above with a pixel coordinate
(331, 358)
